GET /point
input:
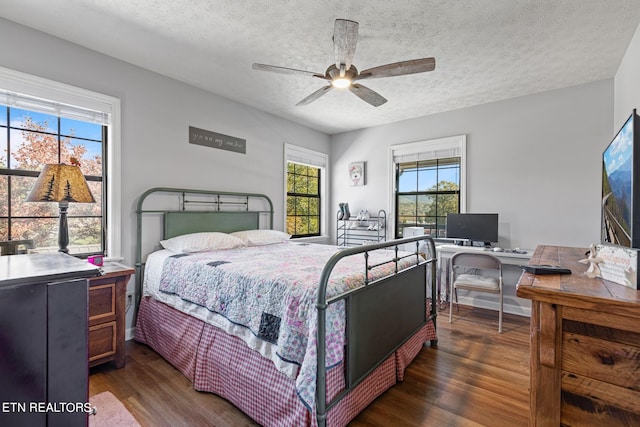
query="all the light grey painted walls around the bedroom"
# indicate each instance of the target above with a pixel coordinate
(535, 159)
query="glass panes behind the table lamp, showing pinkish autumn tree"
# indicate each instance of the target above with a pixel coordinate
(30, 140)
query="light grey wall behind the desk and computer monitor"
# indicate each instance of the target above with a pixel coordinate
(535, 160)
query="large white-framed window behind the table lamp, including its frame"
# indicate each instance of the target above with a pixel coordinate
(43, 121)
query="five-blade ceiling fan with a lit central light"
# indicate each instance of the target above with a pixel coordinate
(343, 74)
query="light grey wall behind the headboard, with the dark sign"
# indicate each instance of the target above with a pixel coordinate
(156, 114)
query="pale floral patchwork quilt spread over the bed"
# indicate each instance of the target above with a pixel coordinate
(271, 291)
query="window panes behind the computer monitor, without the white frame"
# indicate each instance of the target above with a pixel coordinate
(426, 192)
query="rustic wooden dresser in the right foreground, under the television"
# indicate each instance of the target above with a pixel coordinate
(585, 345)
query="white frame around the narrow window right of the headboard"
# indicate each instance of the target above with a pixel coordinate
(308, 157)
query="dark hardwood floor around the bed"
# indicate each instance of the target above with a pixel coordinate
(474, 377)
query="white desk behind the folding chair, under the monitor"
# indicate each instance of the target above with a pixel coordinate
(512, 303)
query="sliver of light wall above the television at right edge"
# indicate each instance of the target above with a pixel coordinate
(627, 84)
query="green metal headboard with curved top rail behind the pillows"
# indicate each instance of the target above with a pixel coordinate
(200, 211)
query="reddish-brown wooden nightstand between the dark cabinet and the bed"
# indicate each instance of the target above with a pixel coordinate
(107, 307)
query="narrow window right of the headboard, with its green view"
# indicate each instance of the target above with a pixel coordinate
(305, 183)
